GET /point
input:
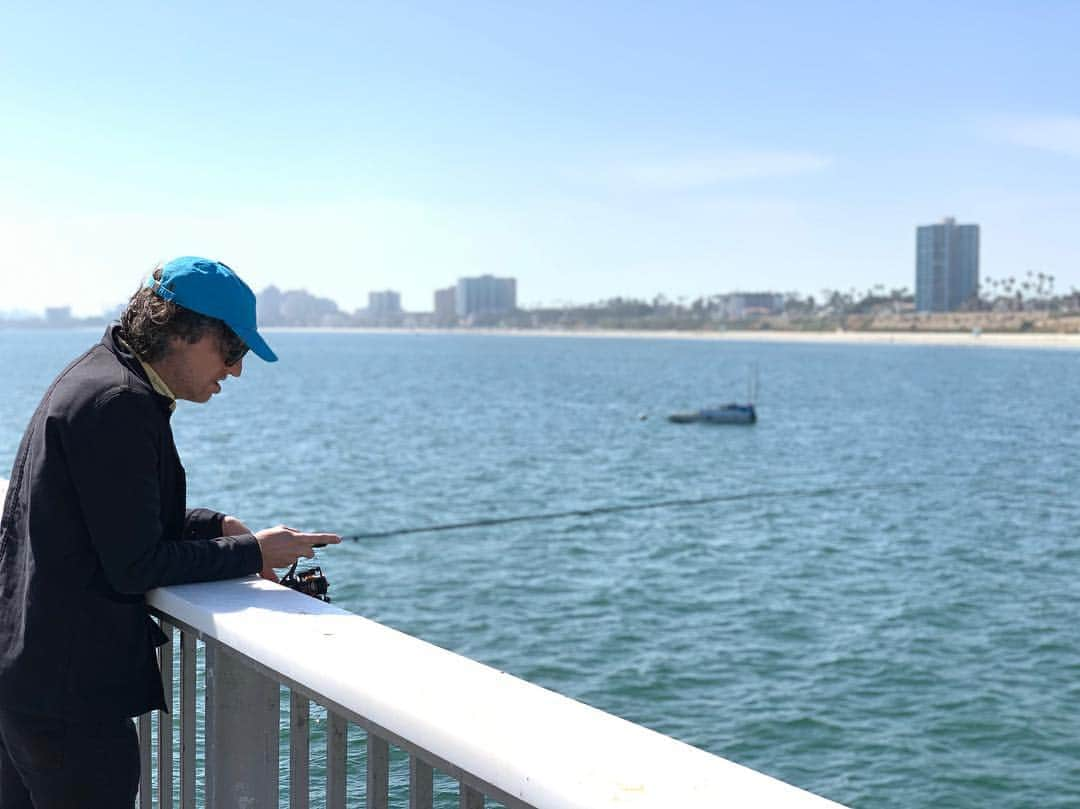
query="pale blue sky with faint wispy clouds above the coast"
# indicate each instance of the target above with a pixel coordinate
(590, 150)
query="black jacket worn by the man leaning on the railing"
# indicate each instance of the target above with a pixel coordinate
(94, 518)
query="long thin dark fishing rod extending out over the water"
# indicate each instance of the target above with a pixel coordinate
(682, 503)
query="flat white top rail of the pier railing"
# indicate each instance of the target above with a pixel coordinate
(544, 749)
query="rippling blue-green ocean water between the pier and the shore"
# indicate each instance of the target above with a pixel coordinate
(886, 613)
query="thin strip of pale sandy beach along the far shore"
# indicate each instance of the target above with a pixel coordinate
(964, 340)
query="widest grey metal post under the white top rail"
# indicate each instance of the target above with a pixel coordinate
(242, 735)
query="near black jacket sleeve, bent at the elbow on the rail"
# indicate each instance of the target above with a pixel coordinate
(113, 449)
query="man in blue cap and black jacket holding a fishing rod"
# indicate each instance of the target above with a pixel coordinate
(94, 518)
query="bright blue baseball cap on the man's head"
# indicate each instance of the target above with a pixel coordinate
(212, 289)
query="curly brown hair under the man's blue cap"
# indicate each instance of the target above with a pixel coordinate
(150, 323)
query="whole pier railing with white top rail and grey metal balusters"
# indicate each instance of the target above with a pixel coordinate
(497, 736)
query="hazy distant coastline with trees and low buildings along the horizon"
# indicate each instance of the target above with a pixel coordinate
(874, 317)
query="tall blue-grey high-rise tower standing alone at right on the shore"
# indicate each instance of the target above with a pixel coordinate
(947, 266)
